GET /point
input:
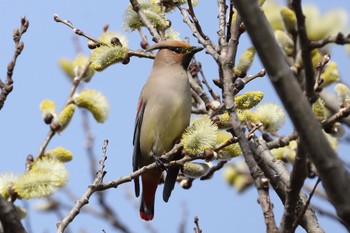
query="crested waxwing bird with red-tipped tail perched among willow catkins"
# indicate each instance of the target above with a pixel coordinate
(163, 113)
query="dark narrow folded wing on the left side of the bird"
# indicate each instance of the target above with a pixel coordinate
(136, 142)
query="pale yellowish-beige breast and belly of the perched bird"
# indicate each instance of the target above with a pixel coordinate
(167, 114)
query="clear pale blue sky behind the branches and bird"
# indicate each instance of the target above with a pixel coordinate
(37, 77)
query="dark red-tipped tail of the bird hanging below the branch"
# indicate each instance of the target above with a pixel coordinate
(150, 181)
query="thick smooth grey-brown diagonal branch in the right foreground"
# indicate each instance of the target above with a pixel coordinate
(298, 108)
